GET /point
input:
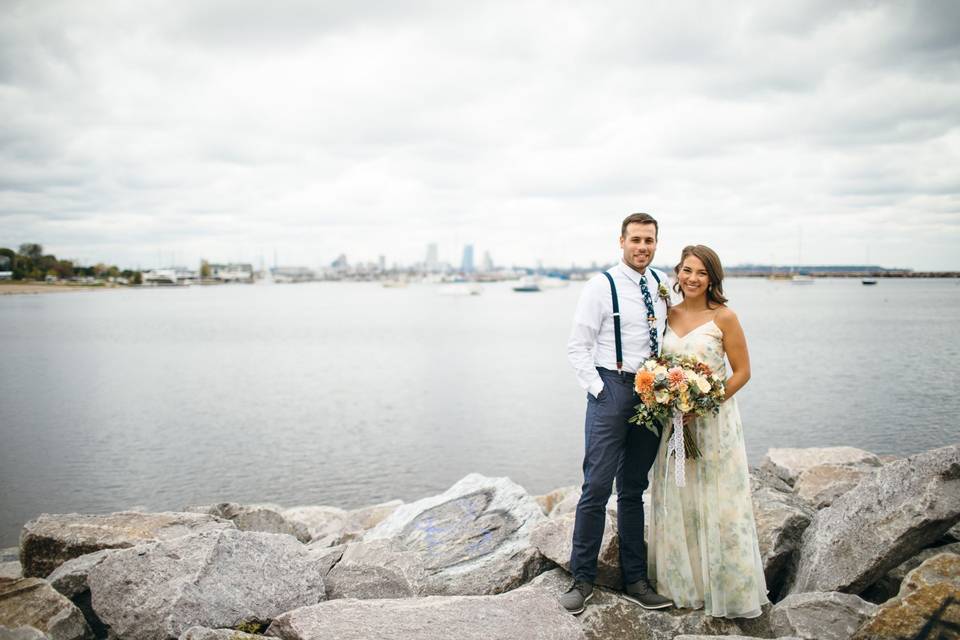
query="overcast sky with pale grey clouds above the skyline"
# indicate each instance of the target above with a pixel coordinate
(157, 131)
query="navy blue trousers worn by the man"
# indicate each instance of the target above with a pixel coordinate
(614, 449)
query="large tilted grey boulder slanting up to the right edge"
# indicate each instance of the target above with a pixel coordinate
(886, 519)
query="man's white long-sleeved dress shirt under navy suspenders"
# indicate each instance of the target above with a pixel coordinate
(592, 343)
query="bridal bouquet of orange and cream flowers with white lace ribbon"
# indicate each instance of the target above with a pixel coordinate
(670, 386)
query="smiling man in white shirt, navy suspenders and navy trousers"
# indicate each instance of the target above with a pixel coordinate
(619, 323)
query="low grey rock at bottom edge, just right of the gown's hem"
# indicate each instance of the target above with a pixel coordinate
(820, 616)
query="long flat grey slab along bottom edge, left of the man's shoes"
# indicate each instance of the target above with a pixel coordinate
(520, 613)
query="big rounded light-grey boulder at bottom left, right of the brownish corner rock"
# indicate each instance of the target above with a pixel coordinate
(214, 579)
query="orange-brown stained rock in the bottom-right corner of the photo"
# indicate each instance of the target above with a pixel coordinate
(929, 597)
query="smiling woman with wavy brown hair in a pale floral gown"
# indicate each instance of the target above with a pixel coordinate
(703, 549)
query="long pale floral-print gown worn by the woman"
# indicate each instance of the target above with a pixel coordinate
(703, 549)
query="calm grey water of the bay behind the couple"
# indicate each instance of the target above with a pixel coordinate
(349, 394)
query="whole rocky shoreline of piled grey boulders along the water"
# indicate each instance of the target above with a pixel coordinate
(854, 546)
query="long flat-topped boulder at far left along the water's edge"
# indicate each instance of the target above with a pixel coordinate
(50, 540)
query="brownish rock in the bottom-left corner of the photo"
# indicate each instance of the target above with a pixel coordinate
(31, 602)
